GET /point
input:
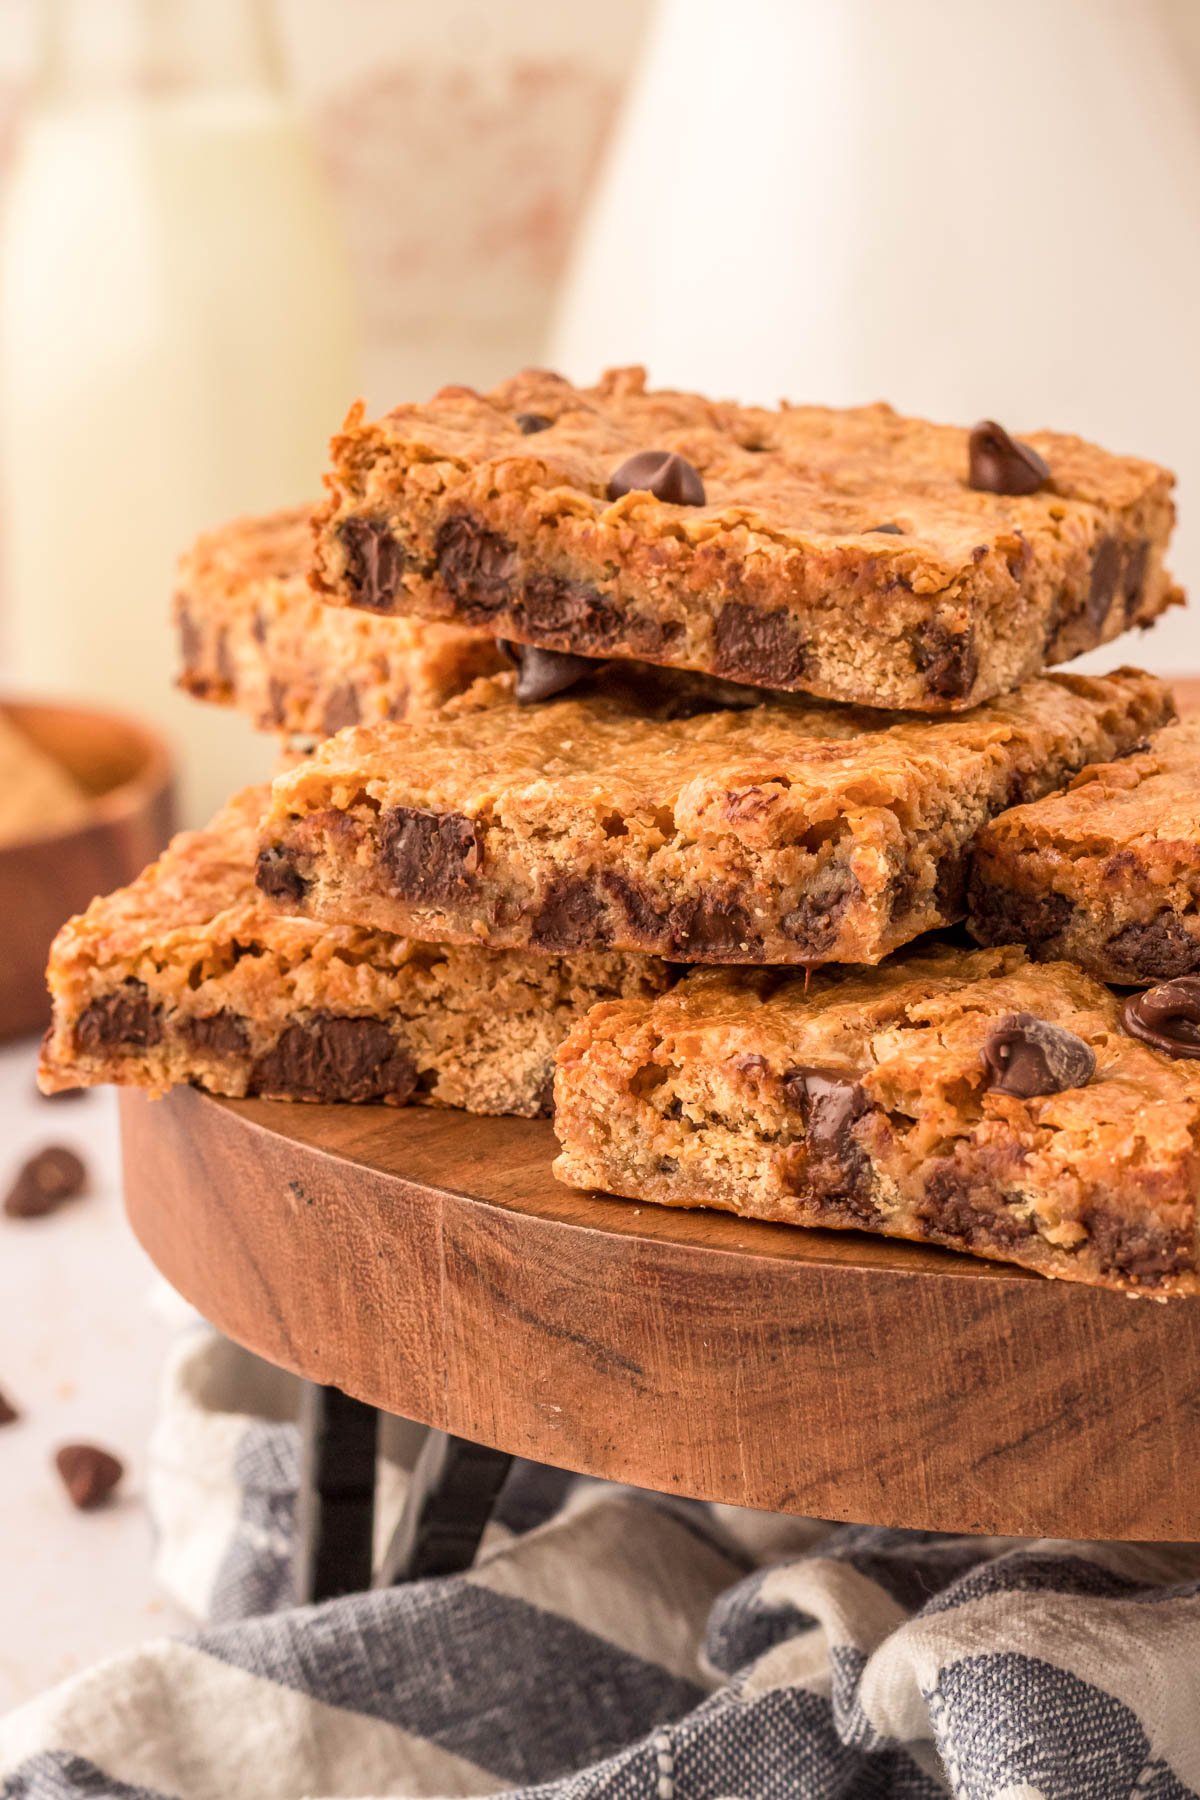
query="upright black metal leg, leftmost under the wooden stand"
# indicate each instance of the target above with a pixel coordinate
(337, 1495)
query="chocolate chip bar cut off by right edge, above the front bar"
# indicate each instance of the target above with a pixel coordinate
(1107, 874)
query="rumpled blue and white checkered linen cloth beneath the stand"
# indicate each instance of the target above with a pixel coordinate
(616, 1644)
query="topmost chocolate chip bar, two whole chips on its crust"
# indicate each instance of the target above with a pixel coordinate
(855, 555)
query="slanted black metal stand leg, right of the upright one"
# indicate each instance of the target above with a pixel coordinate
(451, 1497)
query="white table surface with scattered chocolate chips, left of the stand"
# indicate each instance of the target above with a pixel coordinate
(82, 1349)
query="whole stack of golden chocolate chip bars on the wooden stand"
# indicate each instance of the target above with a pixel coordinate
(668, 744)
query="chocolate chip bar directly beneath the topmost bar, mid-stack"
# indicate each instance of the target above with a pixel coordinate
(672, 823)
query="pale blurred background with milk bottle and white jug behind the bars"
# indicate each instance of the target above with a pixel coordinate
(228, 219)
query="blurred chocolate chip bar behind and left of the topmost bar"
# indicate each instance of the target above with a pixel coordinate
(253, 634)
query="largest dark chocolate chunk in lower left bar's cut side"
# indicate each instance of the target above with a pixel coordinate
(330, 1057)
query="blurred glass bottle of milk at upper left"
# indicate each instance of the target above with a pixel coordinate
(175, 345)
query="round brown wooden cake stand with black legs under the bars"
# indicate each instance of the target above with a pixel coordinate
(429, 1264)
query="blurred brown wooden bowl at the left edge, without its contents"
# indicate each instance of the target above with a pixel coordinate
(48, 879)
